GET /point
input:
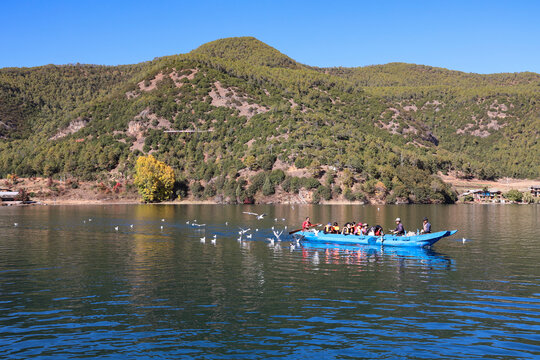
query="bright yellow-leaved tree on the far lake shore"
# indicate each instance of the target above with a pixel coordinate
(154, 178)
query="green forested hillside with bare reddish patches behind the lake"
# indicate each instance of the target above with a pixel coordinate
(263, 123)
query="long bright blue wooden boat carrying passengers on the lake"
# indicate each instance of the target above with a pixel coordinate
(422, 240)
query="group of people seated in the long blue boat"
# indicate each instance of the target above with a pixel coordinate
(359, 228)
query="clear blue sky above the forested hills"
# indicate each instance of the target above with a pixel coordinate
(472, 36)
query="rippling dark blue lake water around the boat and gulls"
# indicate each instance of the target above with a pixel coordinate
(71, 286)
